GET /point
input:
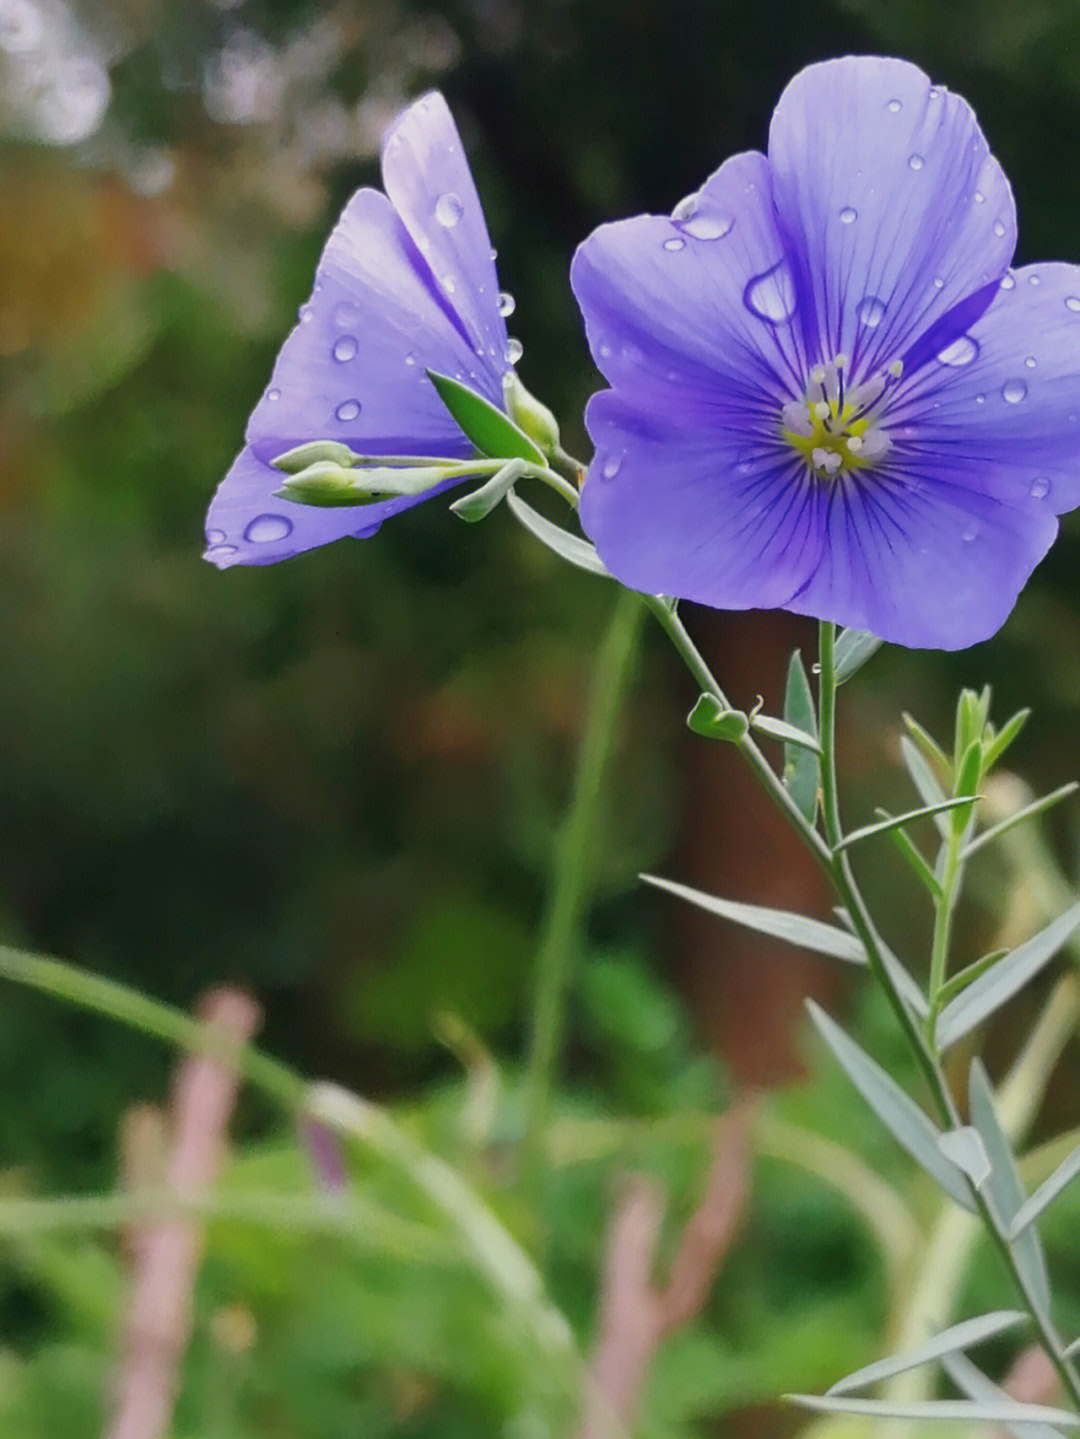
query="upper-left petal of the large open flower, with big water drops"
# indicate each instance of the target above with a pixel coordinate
(695, 312)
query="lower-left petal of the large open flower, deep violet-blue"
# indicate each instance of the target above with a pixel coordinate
(690, 513)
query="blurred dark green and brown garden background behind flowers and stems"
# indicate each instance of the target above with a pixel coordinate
(337, 782)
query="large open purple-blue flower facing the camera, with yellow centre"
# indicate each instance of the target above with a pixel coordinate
(829, 394)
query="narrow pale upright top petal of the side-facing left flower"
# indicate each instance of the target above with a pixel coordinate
(428, 179)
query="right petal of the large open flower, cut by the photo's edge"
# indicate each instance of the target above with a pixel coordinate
(1003, 402)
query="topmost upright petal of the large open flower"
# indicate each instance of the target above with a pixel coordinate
(895, 211)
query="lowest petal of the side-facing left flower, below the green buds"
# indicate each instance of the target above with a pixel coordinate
(248, 525)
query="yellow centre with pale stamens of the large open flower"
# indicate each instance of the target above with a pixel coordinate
(836, 428)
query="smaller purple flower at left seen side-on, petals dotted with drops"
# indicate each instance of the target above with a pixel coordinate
(406, 284)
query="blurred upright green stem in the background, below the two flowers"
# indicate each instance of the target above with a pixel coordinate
(572, 871)
